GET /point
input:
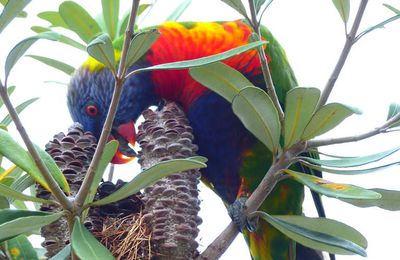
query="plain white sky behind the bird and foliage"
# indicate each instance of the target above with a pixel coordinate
(312, 34)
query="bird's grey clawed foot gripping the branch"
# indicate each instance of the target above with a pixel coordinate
(237, 213)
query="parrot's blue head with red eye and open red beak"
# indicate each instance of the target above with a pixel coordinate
(89, 96)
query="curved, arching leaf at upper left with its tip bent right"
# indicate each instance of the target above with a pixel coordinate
(23, 46)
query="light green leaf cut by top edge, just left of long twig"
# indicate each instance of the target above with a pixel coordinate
(110, 16)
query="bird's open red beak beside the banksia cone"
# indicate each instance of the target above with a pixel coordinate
(125, 134)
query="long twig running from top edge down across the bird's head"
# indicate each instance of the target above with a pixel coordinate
(87, 182)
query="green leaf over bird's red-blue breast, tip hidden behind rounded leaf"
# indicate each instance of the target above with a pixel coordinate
(220, 78)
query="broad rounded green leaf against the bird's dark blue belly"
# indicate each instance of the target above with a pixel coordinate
(258, 114)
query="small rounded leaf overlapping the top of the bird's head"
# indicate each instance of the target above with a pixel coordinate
(101, 49)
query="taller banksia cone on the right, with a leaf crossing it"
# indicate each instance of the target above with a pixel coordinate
(171, 204)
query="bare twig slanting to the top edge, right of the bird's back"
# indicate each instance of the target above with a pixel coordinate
(343, 56)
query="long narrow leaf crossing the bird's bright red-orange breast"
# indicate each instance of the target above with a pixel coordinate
(203, 61)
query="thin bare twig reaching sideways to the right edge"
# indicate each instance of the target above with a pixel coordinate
(381, 129)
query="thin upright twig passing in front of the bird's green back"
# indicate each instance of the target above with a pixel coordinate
(264, 63)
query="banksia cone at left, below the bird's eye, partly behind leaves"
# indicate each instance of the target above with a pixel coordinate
(72, 152)
